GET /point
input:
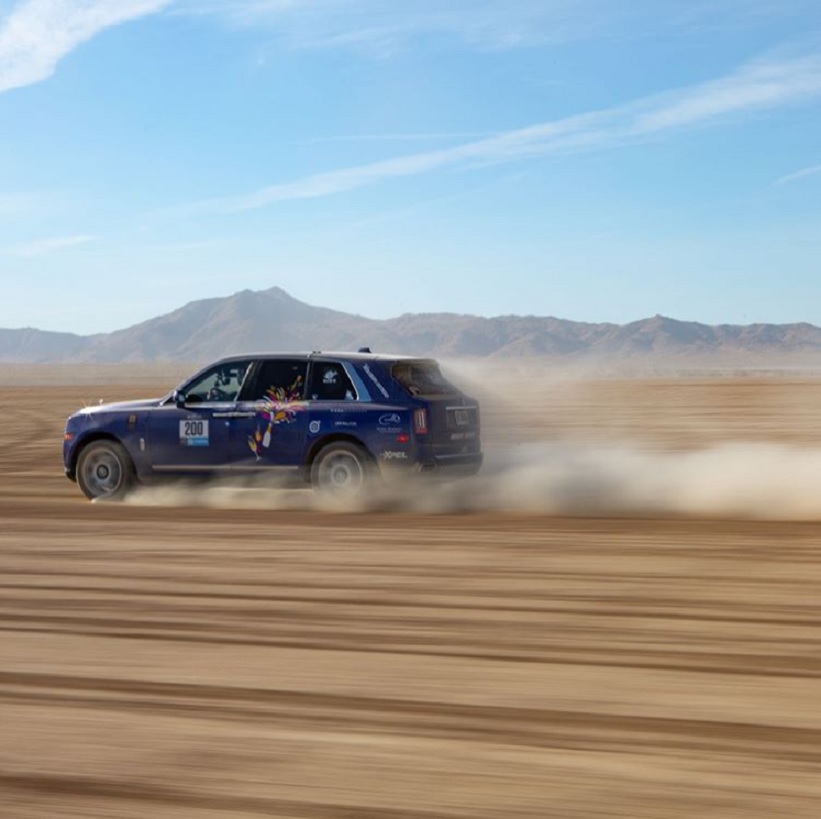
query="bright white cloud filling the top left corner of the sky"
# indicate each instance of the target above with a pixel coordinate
(36, 34)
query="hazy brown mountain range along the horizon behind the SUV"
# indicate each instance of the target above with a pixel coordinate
(272, 320)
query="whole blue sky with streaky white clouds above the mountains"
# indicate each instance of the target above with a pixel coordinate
(589, 159)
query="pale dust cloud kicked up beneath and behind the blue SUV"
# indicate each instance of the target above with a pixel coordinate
(735, 481)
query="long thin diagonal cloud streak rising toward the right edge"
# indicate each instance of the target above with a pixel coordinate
(755, 87)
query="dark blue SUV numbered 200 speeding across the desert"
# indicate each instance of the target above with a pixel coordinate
(336, 421)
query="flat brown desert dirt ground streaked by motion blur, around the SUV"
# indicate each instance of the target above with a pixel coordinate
(210, 660)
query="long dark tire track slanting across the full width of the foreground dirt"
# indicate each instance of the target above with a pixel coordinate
(509, 725)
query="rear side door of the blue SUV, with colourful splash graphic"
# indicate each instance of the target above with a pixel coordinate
(271, 418)
